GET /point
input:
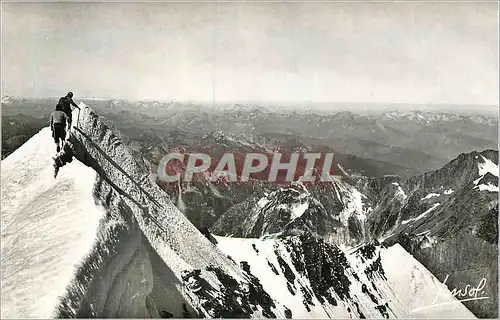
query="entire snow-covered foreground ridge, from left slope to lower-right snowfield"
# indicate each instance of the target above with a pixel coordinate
(103, 240)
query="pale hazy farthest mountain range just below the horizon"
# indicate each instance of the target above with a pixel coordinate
(418, 140)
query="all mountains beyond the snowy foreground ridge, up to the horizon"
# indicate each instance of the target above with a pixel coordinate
(427, 181)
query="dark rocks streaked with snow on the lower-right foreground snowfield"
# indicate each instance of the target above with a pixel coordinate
(316, 272)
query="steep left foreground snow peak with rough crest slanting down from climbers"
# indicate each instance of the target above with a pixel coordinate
(63, 256)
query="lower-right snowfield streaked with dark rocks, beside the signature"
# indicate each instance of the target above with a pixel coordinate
(312, 278)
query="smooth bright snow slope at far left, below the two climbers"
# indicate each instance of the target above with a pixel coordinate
(48, 227)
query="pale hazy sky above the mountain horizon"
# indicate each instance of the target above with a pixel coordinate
(363, 52)
